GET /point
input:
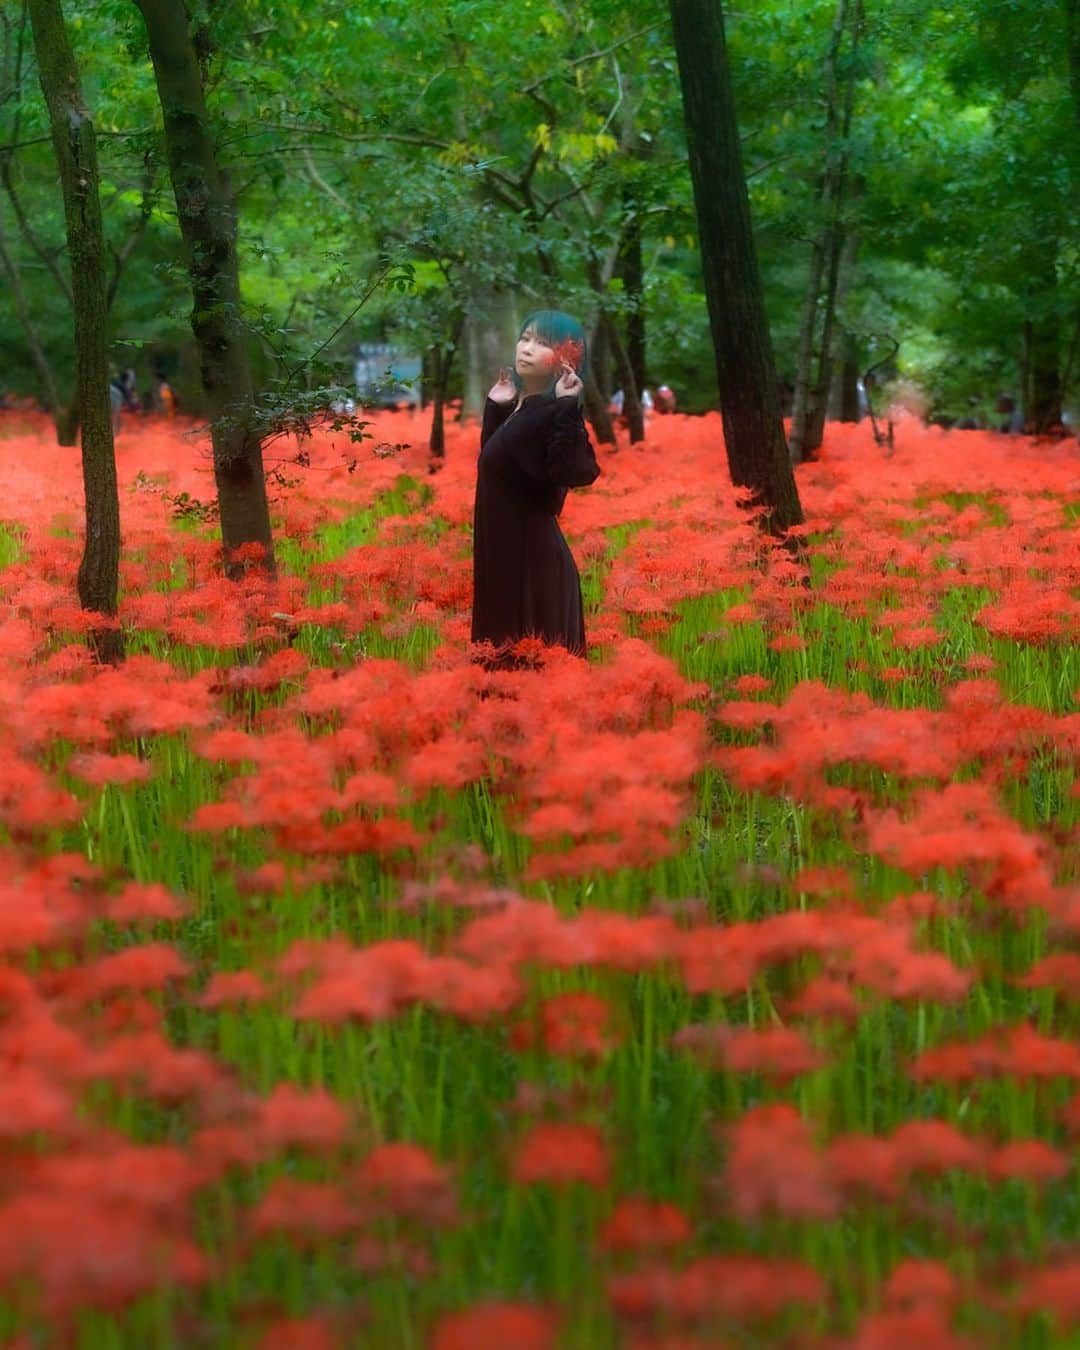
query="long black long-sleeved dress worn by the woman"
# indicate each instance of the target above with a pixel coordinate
(524, 578)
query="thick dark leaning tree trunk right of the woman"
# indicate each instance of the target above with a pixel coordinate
(754, 433)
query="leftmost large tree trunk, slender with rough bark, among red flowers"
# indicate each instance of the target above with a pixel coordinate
(76, 151)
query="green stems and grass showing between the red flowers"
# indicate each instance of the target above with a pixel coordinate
(449, 1086)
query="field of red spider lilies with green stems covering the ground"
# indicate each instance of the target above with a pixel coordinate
(723, 990)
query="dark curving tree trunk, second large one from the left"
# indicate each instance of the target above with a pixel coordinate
(209, 226)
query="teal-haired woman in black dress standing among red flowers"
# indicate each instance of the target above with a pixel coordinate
(534, 448)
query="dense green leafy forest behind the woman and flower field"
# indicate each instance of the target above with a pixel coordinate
(425, 175)
